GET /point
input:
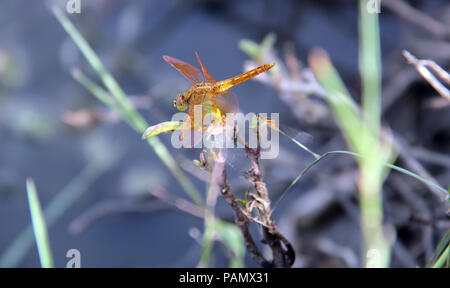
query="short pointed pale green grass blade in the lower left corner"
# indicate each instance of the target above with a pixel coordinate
(39, 226)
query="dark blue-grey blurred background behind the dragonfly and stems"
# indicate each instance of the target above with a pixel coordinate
(114, 223)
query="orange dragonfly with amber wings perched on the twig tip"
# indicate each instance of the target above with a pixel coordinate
(212, 95)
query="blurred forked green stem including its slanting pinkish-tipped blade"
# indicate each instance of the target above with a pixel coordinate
(362, 135)
